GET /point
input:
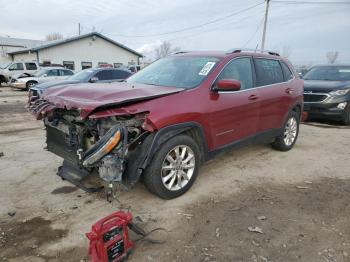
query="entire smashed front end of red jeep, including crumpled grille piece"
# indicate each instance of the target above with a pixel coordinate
(111, 149)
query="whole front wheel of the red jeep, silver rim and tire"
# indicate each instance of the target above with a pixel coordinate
(174, 167)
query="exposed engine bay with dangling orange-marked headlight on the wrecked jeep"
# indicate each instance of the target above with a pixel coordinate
(101, 146)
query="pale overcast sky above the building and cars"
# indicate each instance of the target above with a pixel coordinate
(307, 31)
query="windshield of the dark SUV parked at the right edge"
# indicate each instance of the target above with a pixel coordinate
(330, 73)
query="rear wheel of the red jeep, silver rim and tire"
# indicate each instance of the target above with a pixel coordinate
(286, 140)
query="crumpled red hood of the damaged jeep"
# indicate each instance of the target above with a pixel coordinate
(88, 97)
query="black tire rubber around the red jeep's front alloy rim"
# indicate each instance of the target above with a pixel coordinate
(153, 174)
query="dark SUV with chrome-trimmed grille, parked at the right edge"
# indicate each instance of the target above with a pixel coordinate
(327, 92)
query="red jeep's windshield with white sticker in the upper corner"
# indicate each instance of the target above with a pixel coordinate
(183, 72)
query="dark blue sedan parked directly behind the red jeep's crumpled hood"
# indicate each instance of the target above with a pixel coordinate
(92, 75)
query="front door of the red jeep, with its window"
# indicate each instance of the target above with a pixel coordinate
(234, 115)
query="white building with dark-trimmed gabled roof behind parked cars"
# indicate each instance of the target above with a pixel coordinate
(80, 52)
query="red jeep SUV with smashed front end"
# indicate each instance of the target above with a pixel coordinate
(164, 121)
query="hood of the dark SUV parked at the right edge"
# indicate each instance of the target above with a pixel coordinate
(325, 86)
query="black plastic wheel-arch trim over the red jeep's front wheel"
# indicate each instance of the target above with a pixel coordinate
(141, 158)
